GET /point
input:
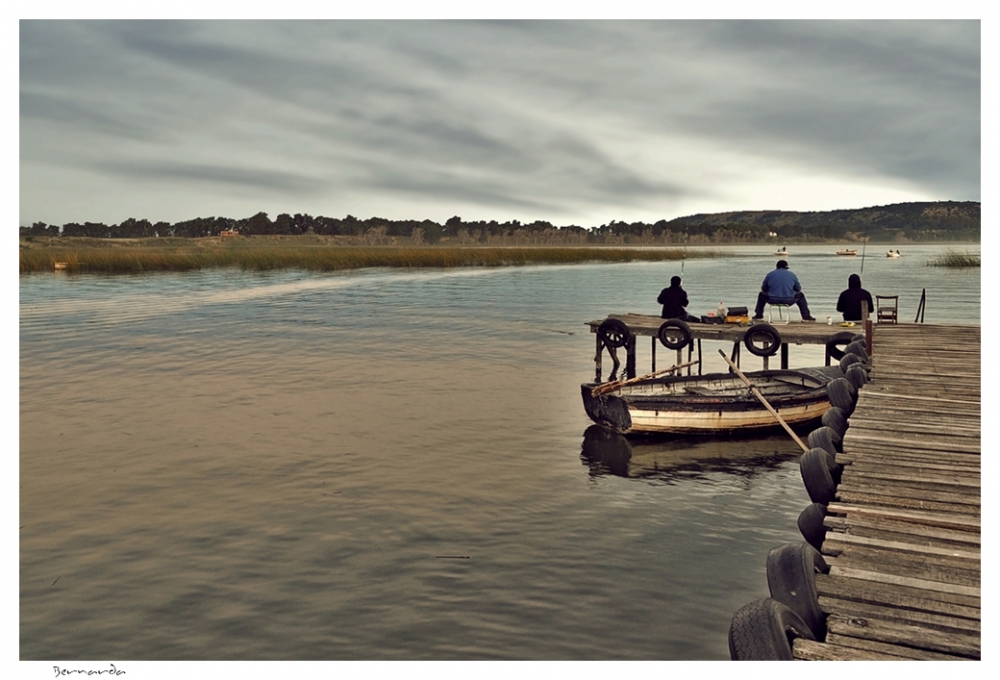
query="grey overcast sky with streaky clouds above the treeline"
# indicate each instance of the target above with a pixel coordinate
(574, 122)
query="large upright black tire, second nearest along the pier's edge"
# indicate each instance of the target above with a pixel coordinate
(791, 579)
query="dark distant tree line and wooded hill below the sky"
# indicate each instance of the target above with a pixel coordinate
(945, 220)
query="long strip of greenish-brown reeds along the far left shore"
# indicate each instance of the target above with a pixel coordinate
(112, 260)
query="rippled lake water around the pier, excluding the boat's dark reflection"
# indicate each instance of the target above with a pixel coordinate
(391, 465)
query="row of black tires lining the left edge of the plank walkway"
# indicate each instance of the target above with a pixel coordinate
(764, 629)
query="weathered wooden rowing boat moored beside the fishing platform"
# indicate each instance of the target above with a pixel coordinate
(711, 404)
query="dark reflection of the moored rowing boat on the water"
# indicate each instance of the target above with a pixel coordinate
(671, 459)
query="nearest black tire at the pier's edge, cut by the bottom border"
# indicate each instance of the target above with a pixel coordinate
(763, 630)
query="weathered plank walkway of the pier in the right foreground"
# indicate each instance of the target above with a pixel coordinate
(903, 534)
